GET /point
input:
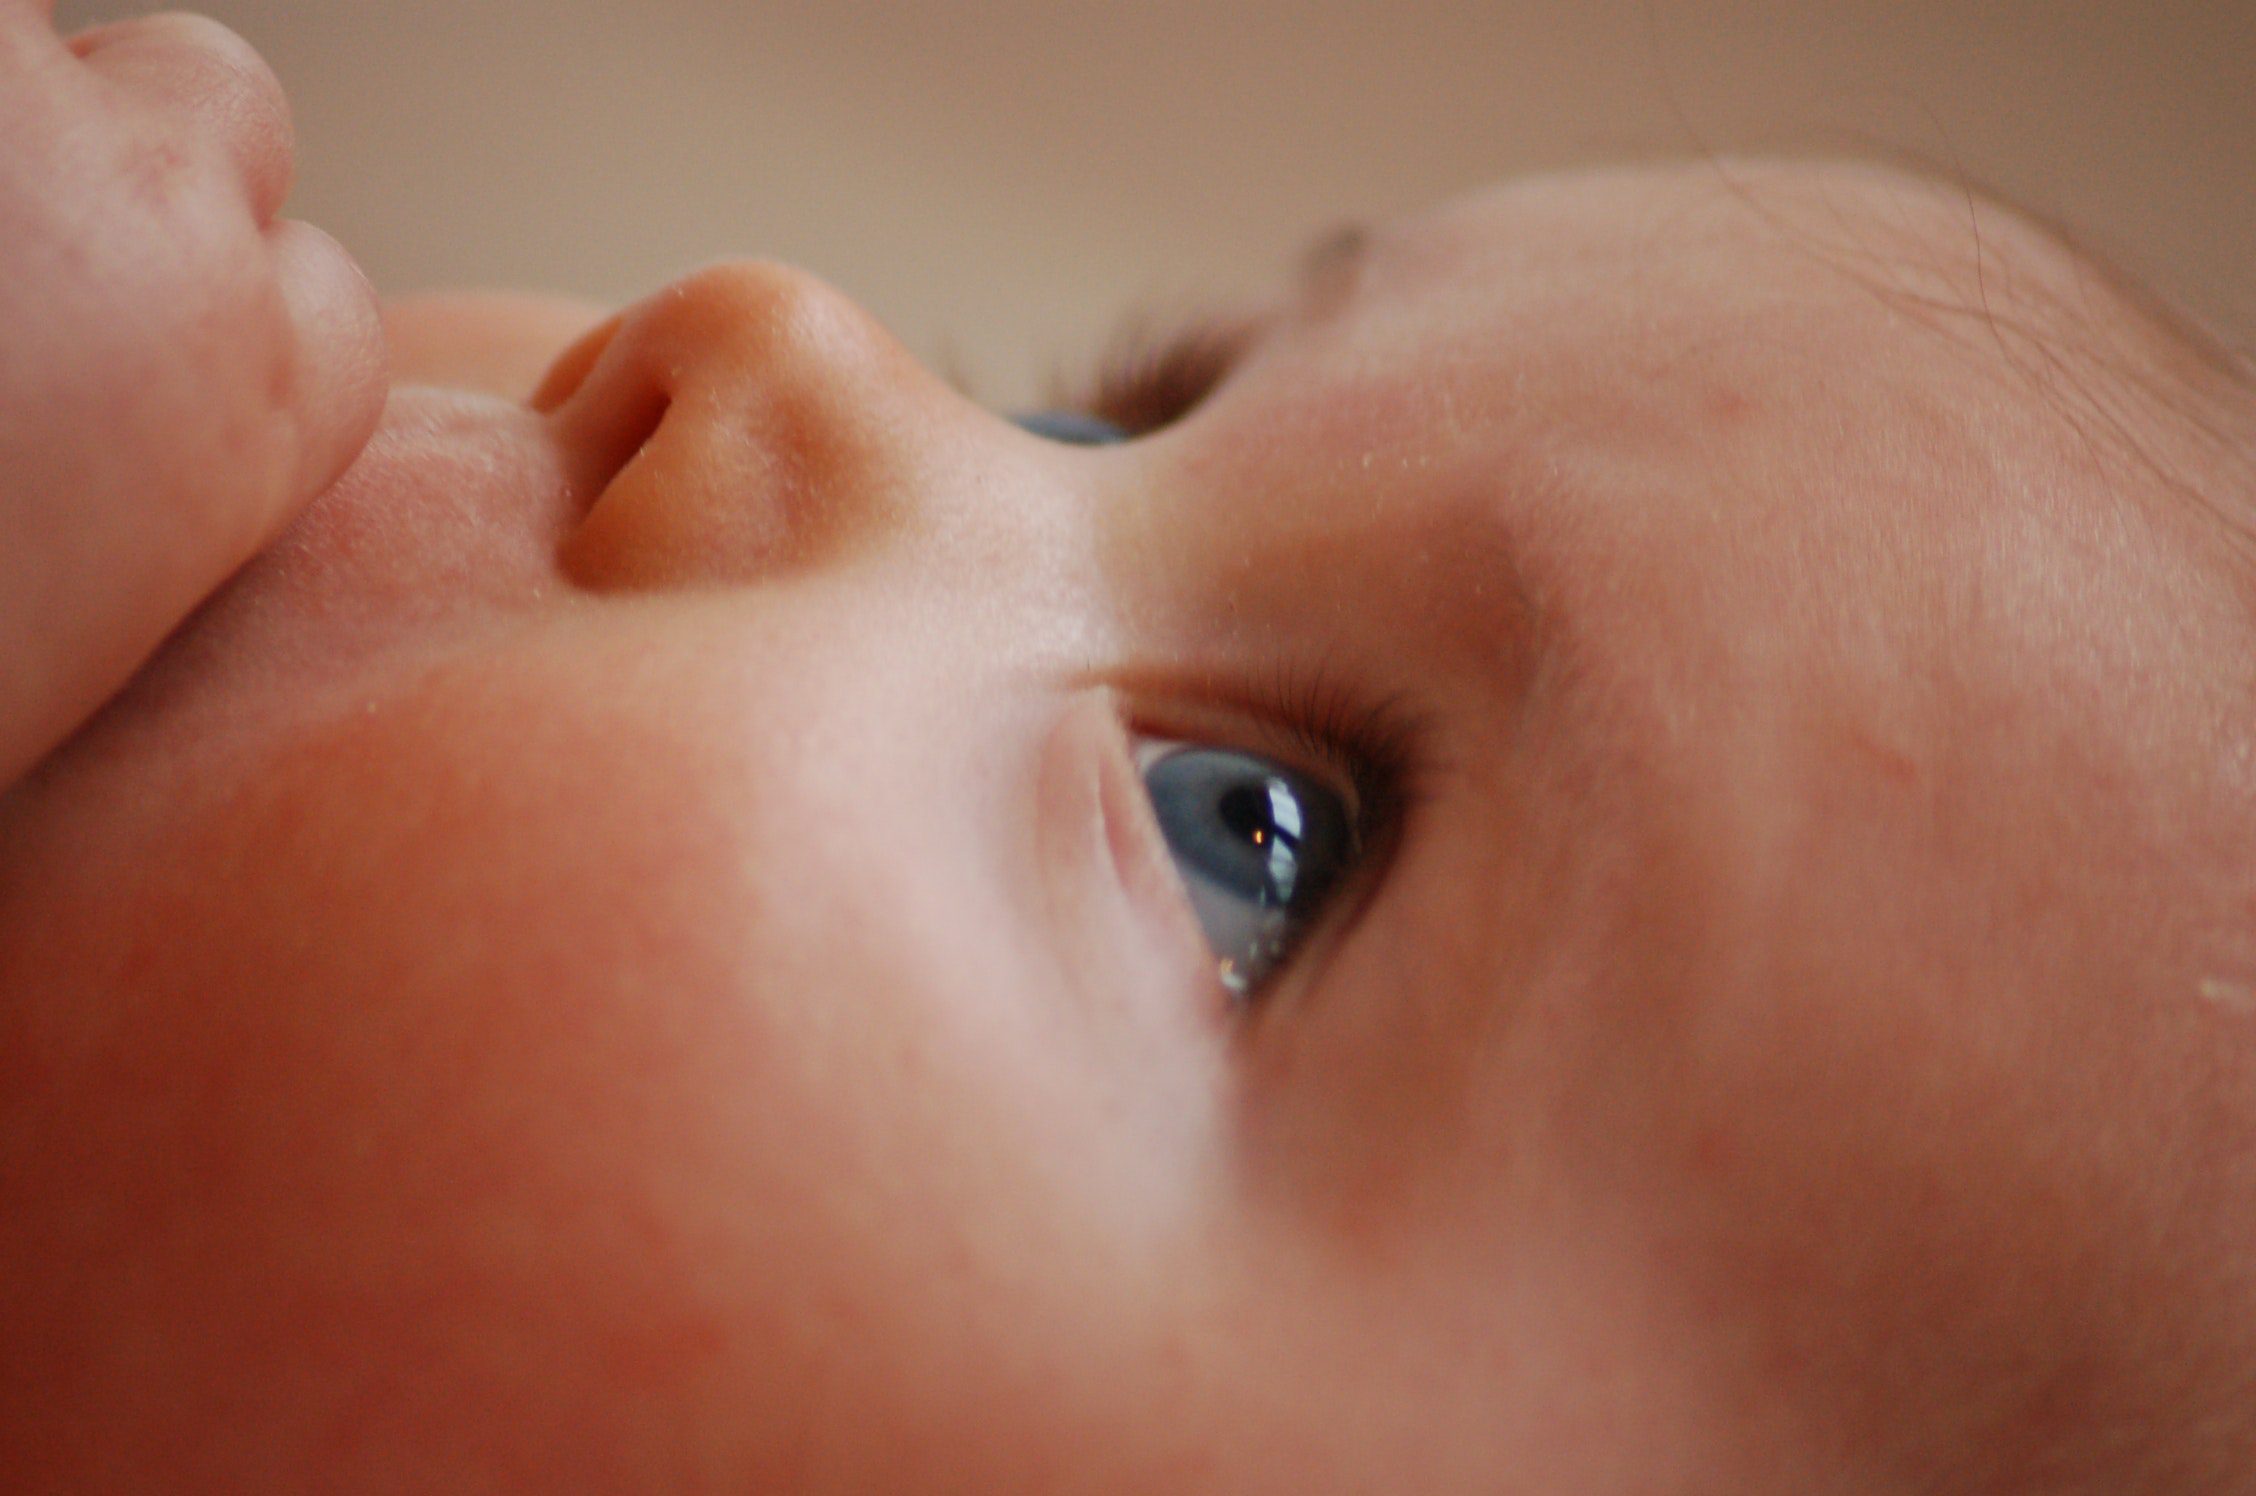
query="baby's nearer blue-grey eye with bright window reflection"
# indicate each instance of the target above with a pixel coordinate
(1260, 850)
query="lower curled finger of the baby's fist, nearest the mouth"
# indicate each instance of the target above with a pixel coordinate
(340, 369)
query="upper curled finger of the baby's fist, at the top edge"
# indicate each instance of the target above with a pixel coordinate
(211, 80)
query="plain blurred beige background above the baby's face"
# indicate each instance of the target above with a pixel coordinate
(1001, 179)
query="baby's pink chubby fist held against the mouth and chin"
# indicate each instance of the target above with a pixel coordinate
(179, 369)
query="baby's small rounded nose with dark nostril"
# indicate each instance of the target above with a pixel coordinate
(741, 423)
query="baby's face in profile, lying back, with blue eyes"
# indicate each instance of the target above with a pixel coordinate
(649, 940)
